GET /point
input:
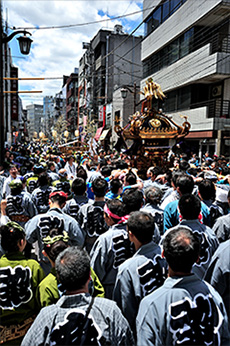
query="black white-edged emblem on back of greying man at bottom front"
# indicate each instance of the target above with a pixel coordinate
(78, 328)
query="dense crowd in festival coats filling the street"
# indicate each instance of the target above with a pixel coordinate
(94, 254)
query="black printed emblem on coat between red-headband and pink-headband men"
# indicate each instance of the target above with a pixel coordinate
(95, 224)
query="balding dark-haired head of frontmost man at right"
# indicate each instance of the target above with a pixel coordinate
(181, 249)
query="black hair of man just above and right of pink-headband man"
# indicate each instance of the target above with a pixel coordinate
(132, 199)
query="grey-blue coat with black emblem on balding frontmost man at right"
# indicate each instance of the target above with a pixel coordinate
(185, 310)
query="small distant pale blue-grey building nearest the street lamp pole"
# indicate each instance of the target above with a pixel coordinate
(34, 119)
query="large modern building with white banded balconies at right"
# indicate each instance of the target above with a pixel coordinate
(186, 50)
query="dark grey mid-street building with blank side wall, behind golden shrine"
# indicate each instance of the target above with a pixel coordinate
(111, 60)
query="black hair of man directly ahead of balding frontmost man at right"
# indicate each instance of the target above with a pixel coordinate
(190, 206)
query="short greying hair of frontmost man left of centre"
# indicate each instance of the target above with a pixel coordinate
(73, 268)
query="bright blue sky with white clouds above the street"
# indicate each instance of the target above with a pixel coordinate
(56, 51)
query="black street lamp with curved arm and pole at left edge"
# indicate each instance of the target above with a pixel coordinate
(24, 44)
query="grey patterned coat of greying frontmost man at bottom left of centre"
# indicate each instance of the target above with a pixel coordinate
(58, 323)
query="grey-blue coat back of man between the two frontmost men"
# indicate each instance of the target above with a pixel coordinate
(137, 277)
